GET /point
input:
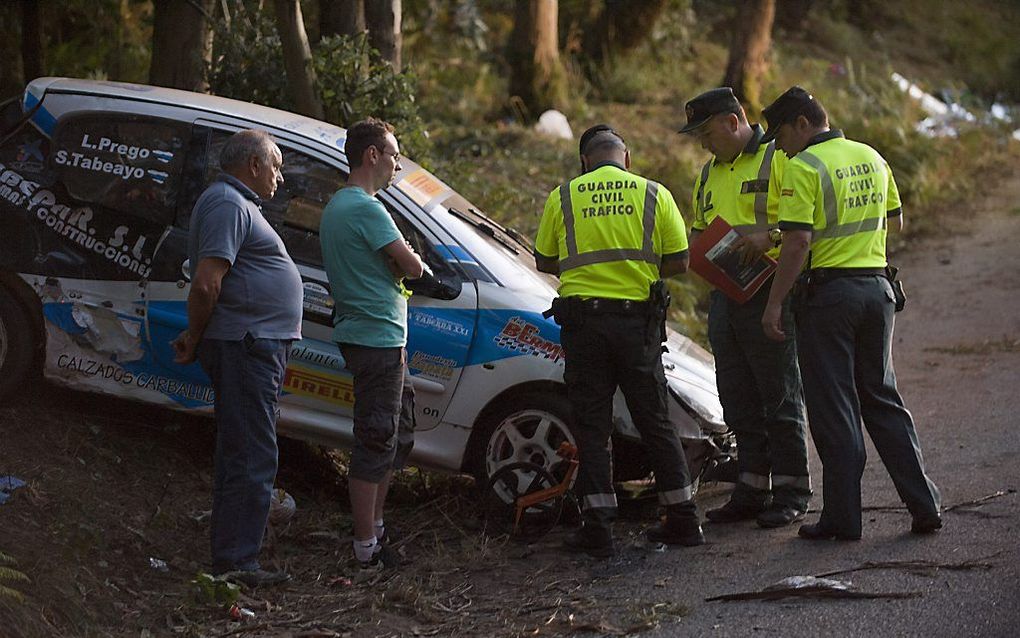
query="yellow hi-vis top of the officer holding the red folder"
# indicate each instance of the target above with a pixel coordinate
(744, 192)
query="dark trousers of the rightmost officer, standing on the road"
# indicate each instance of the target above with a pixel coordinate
(845, 340)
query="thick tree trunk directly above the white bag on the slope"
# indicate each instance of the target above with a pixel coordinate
(537, 78)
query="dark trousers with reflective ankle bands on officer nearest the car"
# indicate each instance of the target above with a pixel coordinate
(605, 352)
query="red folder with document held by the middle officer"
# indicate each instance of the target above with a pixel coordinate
(715, 258)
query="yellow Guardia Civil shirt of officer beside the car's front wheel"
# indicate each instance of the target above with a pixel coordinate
(610, 233)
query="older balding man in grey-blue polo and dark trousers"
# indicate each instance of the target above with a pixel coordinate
(244, 310)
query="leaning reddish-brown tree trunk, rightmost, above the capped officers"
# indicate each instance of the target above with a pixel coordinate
(752, 39)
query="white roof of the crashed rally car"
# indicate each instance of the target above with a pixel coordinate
(212, 104)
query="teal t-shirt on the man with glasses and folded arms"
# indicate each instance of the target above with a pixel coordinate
(372, 310)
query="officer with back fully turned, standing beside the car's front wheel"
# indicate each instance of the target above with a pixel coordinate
(610, 235)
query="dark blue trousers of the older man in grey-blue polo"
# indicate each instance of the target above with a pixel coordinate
(247, 377)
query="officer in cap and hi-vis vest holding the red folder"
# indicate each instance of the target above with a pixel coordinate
(758, 378)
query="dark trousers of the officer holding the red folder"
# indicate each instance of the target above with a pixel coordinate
(762, 401)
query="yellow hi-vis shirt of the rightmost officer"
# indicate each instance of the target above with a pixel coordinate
(844, 192)
